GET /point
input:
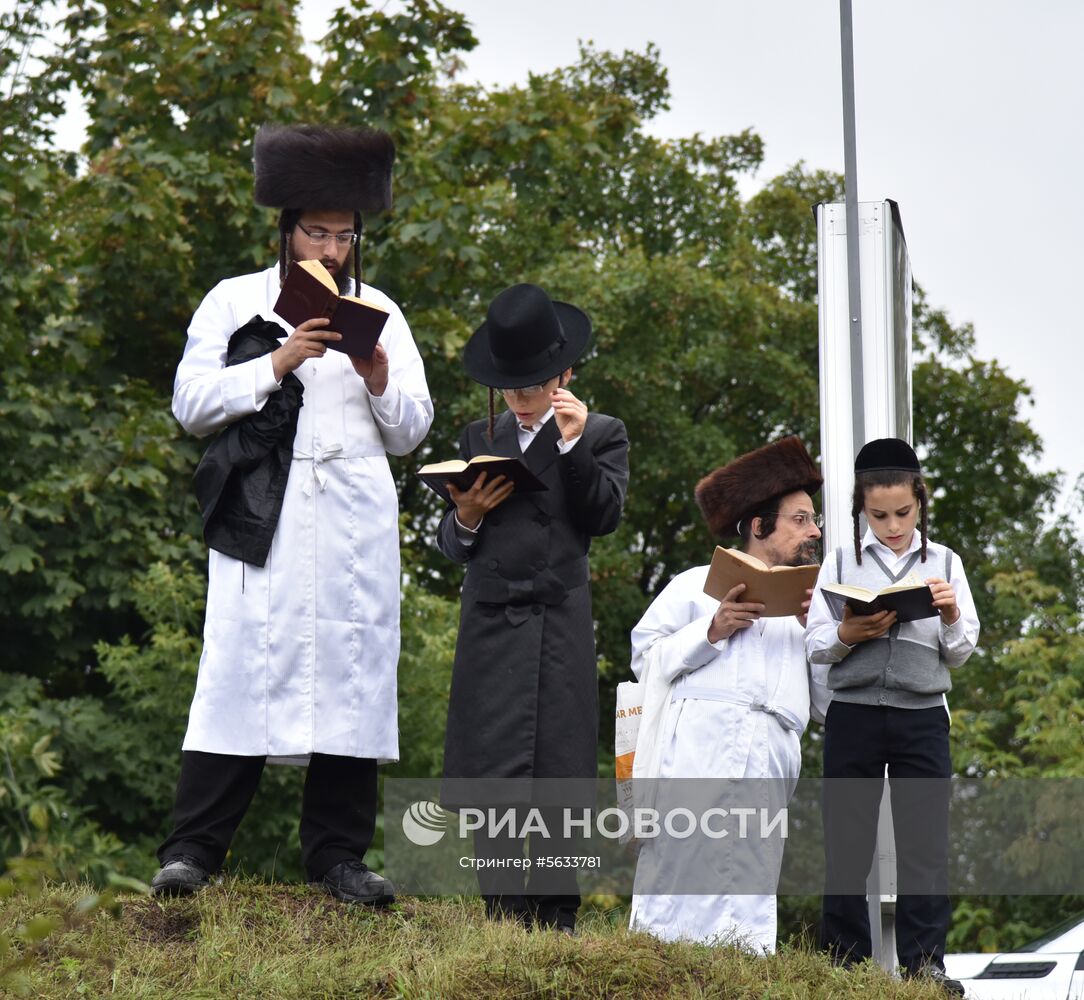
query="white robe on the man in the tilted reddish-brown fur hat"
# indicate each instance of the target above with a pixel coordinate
(714, 732)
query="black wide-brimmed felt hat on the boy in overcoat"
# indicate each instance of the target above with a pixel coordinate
(527, 339)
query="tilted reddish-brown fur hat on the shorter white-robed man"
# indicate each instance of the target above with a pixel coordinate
(751, 483)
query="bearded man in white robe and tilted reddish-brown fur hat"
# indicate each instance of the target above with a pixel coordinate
(738, 705)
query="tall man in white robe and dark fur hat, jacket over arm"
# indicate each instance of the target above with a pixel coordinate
(302, 639)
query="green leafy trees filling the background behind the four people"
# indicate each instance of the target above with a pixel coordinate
(706, 341)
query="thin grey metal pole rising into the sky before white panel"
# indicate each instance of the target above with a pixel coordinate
(851, 200)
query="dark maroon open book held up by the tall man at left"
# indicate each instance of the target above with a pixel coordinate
(311, 292)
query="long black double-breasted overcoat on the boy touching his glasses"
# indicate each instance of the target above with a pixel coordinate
(525, 690)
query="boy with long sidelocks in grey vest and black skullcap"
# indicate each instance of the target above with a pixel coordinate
(889, 683)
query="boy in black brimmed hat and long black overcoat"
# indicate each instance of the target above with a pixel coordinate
(524, 705)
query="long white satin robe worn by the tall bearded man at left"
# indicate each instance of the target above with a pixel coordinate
(301, 655)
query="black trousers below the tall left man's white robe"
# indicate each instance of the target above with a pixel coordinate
(339, 809)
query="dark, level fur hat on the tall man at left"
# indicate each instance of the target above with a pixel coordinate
(324, 167)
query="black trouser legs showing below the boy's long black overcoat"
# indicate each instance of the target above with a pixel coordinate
(547, 893)
